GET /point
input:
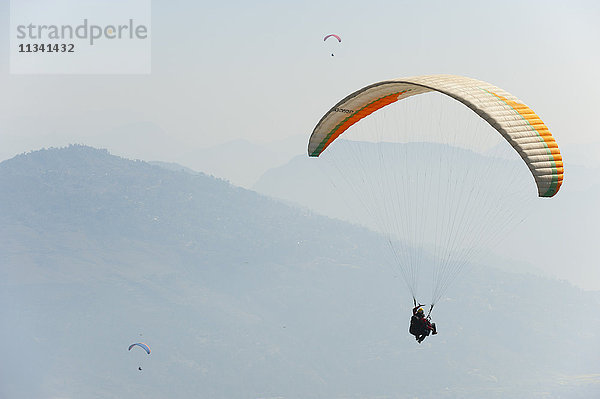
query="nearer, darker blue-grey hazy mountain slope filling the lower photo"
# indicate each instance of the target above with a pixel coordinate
(241, 296)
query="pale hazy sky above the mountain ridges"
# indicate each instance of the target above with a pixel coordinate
(260, 70)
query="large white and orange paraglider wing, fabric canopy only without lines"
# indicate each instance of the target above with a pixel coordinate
(515, 121)
